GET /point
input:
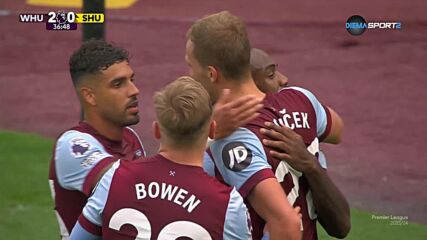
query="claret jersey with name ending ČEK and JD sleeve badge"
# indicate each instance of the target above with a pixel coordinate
(242, 161)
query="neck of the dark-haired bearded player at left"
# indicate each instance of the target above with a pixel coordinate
(105, 128)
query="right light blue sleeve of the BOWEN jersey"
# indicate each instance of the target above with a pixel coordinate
(237, 224)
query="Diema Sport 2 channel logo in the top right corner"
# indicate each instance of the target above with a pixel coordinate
(356, 25)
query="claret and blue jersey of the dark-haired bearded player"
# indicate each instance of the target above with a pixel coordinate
(78, 157)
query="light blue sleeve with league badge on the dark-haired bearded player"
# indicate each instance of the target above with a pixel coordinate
(76, 153)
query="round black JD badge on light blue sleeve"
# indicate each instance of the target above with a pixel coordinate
(236, 156)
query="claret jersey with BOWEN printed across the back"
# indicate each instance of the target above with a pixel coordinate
(156, 198)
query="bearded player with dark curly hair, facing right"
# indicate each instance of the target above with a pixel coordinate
(104, 83)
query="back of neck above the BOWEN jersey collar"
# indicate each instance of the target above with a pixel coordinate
(193, 157)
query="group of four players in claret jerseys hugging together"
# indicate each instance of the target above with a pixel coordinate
(239, 154)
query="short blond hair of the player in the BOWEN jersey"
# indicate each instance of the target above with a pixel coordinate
(184, 111)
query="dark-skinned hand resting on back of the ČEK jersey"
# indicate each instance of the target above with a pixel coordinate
(289, 146)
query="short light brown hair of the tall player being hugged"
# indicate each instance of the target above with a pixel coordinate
(221, 40)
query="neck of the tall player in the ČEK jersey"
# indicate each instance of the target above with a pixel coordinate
(244, 88)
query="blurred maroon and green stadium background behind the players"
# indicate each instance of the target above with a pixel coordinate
(376, 82)
